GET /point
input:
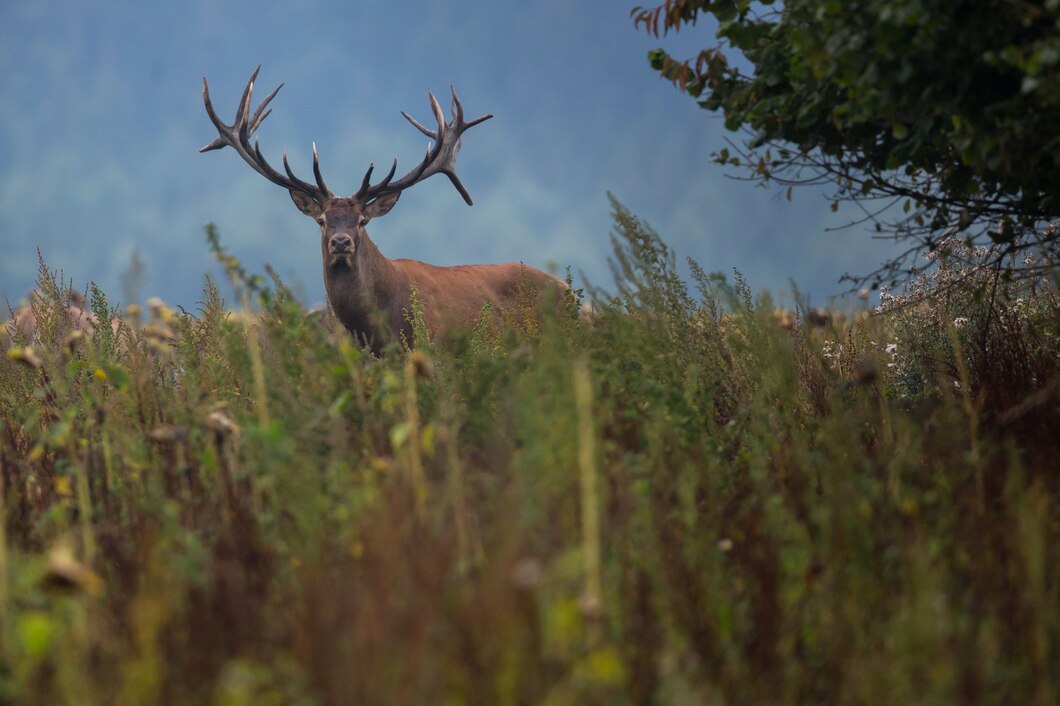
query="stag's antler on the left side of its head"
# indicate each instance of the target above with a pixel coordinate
(238, 136)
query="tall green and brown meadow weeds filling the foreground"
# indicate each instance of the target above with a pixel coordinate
(683, 503)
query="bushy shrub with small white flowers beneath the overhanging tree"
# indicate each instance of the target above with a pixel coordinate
(967, 327)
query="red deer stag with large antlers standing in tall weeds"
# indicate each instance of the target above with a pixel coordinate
(370, 294)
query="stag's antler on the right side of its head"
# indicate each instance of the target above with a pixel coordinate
(441, 156)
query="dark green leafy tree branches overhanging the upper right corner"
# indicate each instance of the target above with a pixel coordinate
(935, 117)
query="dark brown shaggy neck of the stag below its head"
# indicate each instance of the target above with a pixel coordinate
(368, 294)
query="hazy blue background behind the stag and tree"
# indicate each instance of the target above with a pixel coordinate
(101, 119)
